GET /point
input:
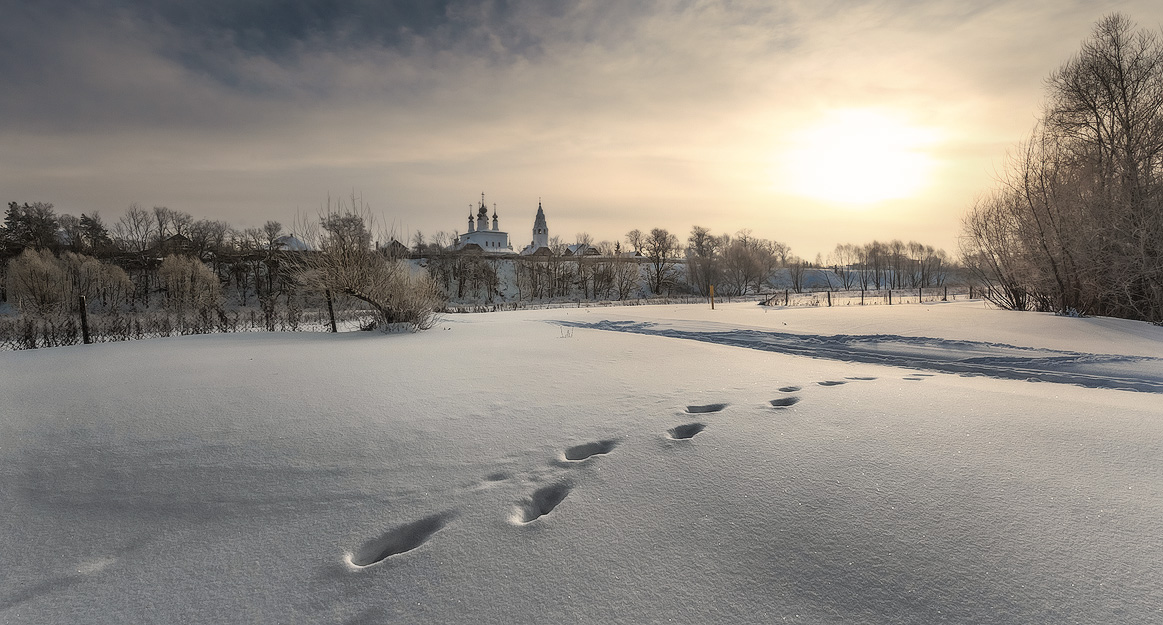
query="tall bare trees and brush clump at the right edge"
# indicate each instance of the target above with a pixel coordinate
(1075, 224)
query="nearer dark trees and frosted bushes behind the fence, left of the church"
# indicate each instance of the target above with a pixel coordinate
(188, 271)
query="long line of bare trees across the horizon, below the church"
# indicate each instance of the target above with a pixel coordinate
(201, 273)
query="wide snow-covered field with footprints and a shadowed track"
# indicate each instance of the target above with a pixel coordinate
(915, 465)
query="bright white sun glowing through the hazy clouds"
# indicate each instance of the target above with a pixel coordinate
(859, 158)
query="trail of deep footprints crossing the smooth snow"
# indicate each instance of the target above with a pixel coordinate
(545, 500)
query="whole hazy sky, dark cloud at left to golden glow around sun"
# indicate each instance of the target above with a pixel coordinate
(811, 123)
